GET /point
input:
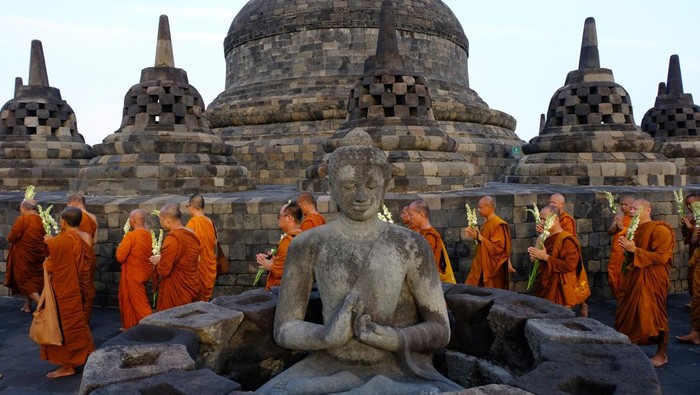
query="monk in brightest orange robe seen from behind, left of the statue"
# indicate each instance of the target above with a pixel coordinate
(203, 227)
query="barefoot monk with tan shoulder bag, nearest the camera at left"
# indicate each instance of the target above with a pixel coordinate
(65, 258)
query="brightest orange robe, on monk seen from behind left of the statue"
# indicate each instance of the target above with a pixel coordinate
(204, 229)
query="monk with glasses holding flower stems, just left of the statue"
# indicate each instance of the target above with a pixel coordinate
(289, 220)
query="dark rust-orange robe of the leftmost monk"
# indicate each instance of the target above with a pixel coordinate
(25, 274)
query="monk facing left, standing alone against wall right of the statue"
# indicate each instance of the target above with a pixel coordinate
(490, 267)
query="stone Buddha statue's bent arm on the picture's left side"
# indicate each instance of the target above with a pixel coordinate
(291, 331)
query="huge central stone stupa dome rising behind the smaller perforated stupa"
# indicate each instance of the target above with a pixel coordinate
(291, 64)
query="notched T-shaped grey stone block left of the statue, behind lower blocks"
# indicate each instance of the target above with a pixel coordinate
(214, 325)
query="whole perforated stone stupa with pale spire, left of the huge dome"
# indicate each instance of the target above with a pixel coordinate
(164, 142)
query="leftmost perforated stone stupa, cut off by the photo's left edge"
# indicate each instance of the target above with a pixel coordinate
(39, 140)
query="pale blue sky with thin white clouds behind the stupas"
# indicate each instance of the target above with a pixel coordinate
(520, 51)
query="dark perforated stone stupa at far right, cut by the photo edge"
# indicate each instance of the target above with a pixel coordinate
(674, 121)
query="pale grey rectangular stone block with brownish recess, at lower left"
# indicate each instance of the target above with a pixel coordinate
(126, 363)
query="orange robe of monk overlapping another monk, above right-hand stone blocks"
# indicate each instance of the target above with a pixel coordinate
(563, 258)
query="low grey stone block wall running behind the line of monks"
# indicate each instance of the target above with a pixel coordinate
(247, 223)
